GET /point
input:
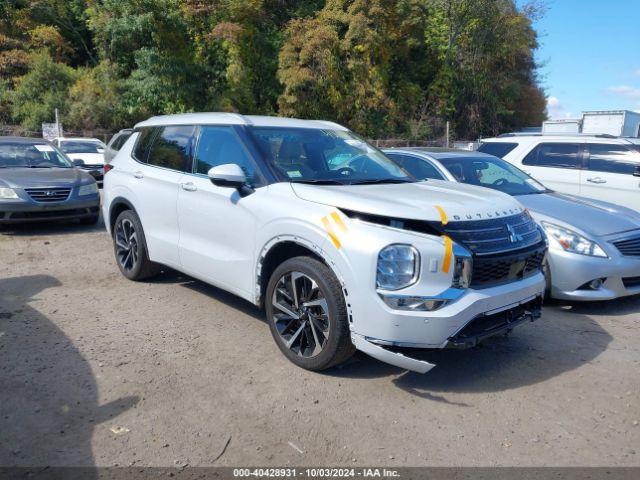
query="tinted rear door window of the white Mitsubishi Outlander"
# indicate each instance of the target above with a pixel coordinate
(172, 148)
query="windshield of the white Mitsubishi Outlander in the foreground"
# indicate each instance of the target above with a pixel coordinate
(309, 155)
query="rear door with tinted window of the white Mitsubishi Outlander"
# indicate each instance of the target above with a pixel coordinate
(163, 155)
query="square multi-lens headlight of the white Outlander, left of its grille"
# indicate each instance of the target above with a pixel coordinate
(398, 267)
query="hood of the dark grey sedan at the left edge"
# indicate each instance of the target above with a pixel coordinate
(41, 177)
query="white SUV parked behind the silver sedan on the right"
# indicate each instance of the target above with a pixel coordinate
(600, 167)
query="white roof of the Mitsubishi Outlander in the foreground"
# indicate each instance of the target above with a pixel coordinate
(217, 118)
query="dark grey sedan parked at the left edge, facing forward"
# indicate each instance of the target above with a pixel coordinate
(37, 183)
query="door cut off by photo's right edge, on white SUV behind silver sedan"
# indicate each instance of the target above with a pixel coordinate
(610, 174)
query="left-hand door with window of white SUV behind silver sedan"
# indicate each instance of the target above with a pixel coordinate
(557, 165)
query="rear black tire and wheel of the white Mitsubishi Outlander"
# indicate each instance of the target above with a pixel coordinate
(138, 267)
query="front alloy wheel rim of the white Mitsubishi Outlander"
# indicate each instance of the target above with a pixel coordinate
(301, 314)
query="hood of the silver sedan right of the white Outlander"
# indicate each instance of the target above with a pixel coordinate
(591, 216)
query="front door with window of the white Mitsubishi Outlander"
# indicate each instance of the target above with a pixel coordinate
(217, 224)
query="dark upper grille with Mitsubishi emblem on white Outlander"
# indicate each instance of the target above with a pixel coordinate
(486, 237)
